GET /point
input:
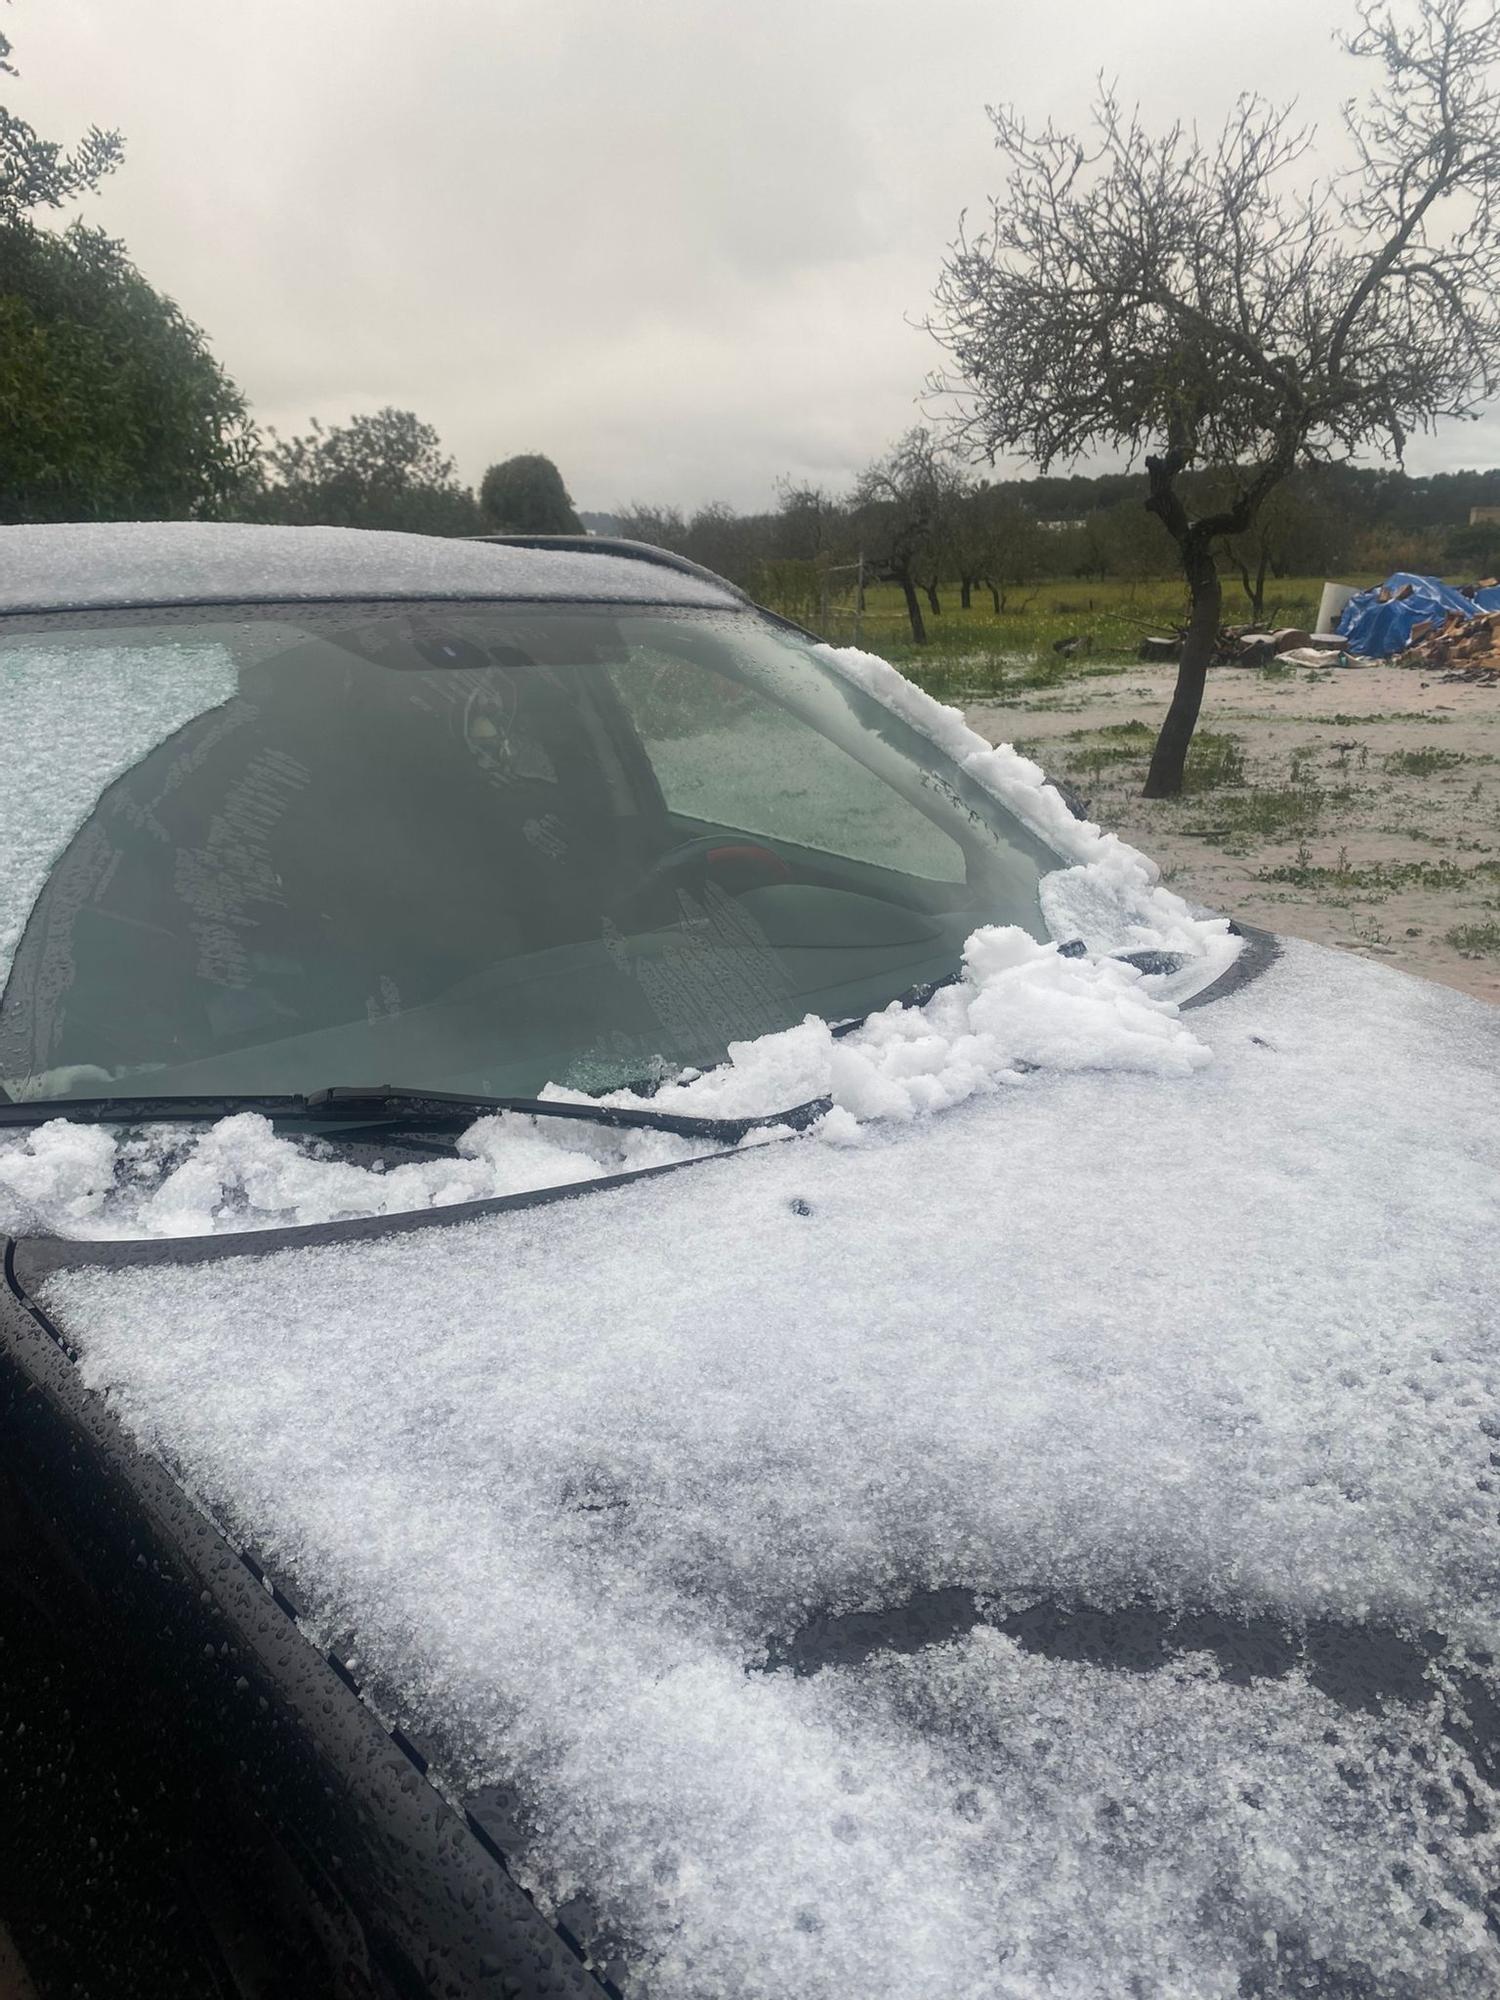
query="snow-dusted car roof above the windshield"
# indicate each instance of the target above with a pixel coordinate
(143, 565)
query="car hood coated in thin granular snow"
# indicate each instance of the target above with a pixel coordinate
(1039, 1547)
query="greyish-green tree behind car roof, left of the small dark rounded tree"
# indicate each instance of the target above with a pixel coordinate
(385, 471)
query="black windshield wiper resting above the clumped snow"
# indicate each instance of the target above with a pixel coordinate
(399, 1109)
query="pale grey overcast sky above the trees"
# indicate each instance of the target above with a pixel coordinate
(677, 245)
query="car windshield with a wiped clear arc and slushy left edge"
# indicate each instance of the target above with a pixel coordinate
(461, 847)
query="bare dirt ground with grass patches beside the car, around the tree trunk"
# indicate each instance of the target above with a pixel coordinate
(1355, 807)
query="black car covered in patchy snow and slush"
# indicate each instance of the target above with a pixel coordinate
(669, 1335)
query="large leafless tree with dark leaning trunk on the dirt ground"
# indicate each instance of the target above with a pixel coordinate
(1209, 305)
